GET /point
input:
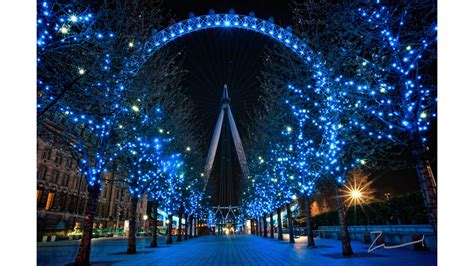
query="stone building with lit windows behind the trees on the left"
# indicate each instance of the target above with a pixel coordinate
(61, 196)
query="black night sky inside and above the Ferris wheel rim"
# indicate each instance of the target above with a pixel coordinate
(234, 57)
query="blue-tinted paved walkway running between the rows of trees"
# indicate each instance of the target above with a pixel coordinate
(230, 250)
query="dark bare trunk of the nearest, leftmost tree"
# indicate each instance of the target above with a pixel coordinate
(83, 257)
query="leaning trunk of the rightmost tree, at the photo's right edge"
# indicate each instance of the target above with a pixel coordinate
(427, 182)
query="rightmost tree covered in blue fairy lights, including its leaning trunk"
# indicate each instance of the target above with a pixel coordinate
(404, 53)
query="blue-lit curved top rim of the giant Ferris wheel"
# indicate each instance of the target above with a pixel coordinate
(212, 21)
